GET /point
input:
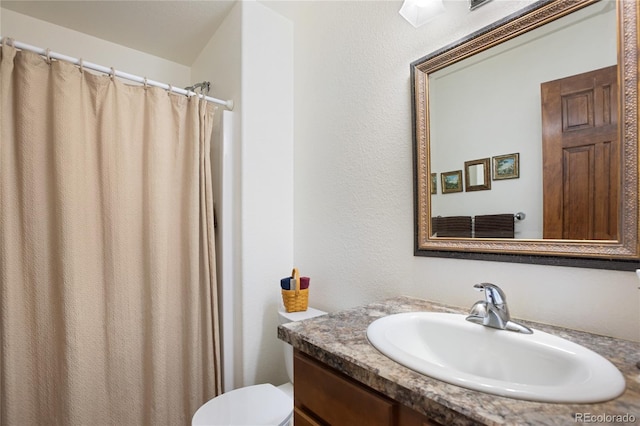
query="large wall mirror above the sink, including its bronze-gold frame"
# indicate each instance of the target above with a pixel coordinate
(509, 105)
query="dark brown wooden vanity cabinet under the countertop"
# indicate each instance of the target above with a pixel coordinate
(324, 396)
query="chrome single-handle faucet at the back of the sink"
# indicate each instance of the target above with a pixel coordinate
(493, 311)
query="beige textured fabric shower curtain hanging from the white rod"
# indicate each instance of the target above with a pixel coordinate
(107, 264)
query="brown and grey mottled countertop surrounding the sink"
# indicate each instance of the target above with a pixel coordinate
(339, 340)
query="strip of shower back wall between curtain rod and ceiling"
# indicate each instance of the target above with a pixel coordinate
(79, 45)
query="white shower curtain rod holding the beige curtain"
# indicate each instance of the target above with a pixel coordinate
(106, 70)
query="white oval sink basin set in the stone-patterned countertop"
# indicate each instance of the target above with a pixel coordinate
(534, 367)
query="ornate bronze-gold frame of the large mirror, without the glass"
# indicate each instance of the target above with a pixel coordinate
(620, 254)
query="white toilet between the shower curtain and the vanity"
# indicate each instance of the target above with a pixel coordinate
(259, 404)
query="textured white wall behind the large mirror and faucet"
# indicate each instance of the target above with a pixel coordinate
(353, 222)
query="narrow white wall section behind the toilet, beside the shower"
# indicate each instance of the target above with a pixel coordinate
(267, 185)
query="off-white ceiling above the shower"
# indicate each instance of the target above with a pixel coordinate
(177, 30)
